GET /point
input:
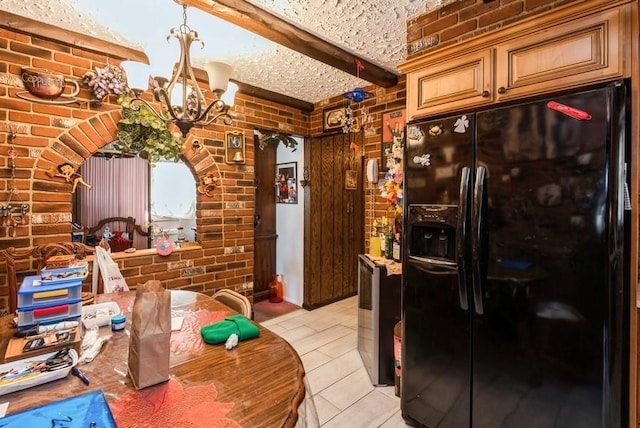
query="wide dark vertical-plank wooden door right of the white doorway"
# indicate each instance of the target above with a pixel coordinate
(333, 220)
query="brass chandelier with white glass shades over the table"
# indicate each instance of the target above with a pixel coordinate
(183, 102)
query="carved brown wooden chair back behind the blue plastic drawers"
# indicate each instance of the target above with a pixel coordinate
(40, 253)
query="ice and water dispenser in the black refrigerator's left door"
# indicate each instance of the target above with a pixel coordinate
(432, 231)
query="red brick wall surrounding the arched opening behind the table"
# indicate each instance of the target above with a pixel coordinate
(47, 135)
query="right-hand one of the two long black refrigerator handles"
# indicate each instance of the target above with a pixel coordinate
(476, 237)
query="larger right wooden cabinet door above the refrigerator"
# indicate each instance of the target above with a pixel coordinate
(565, 56)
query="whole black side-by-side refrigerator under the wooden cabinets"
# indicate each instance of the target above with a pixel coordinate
(515, 283)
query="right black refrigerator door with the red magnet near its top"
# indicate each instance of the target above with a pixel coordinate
(538, 346)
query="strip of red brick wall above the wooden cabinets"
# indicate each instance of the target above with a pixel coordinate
(464, 19)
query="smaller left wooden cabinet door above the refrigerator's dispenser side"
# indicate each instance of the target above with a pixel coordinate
(458, 83)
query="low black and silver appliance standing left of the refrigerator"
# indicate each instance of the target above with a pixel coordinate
(379, 295)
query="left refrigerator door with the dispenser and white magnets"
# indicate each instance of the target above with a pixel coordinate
(436, 322)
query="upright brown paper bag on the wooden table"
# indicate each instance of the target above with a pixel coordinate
(150, 335)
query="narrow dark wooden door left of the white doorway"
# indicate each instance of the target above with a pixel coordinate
(264, 246)
